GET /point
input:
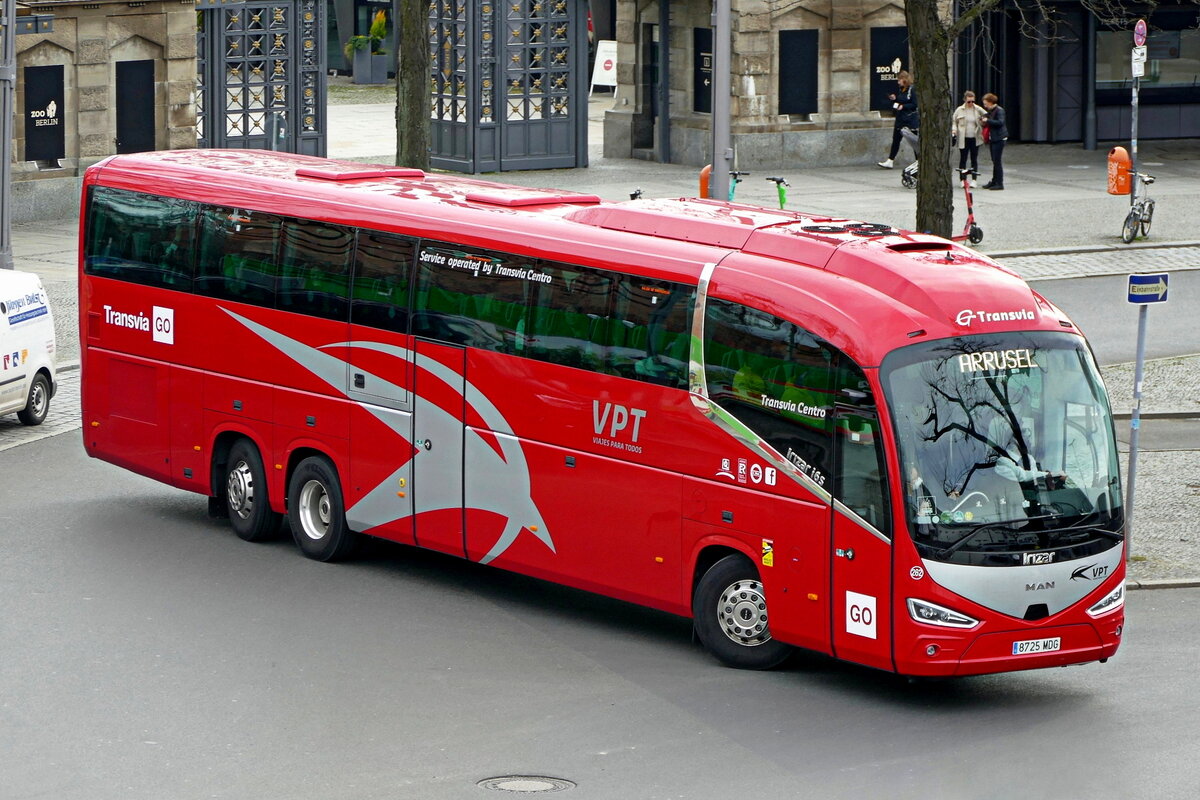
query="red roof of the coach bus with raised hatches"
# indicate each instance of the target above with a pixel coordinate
(866, 287)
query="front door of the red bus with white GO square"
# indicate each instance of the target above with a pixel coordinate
(862, 550)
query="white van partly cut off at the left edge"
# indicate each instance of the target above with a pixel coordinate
(27, 347)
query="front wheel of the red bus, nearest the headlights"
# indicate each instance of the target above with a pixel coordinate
(730, 615)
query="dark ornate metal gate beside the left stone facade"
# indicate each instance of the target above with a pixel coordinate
(261, 79)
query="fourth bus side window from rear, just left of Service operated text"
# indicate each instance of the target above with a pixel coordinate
(382, 270)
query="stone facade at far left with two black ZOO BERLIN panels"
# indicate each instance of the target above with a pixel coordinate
(125, 73)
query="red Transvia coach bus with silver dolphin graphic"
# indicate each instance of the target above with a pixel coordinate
(884, 442)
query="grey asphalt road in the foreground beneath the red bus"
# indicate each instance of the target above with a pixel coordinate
(148, 653)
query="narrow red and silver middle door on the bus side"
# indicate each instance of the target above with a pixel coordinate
(439, 430)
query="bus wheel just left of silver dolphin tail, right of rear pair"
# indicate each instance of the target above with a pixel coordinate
(317, 514)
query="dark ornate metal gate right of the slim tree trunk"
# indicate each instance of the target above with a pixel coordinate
(508, 85)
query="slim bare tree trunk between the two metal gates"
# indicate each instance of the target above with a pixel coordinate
(413, 87)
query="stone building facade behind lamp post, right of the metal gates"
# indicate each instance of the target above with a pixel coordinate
(809, 81)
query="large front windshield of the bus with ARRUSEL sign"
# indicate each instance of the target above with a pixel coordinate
(1006, 449)
